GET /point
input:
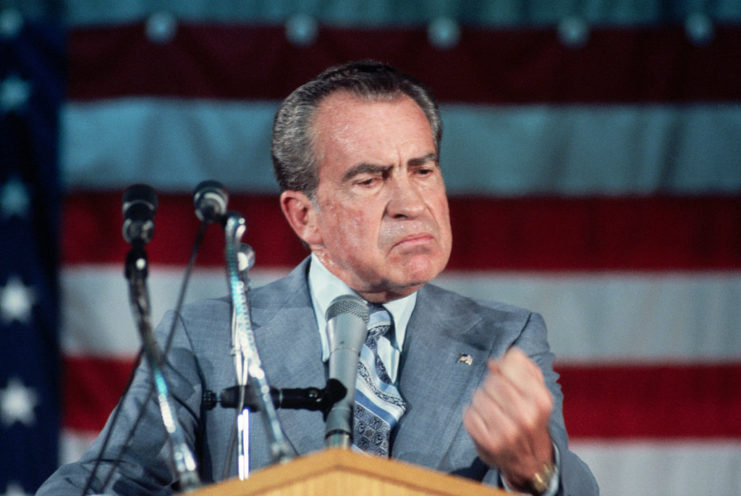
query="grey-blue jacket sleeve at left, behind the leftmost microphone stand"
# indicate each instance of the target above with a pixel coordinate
(144, 466)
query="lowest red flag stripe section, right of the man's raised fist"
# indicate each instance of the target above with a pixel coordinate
(651, 401)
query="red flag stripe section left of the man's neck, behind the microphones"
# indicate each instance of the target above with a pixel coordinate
(92, 223)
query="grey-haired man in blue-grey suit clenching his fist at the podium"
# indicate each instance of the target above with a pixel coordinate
(356, 154)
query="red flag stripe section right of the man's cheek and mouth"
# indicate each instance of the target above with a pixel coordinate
(639, 233)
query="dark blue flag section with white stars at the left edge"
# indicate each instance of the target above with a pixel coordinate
(32, 61)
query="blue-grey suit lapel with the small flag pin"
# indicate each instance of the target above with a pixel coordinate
(445, 355)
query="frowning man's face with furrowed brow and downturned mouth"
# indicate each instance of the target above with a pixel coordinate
(382, 222)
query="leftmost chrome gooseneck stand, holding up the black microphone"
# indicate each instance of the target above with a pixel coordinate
(136, 274)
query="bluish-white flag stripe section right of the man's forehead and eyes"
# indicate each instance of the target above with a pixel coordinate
(616, 149)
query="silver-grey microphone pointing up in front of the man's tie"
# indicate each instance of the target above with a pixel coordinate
(347, 327)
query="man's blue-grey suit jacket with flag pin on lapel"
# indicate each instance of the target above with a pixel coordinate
(435, 384)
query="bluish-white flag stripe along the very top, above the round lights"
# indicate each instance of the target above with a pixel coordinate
(363, 13)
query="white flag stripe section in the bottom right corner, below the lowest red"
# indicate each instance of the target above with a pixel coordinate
(683, 468)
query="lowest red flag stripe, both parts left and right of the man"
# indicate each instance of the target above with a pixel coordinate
(690, 401)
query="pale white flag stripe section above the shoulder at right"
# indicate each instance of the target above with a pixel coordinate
(594, 317)
